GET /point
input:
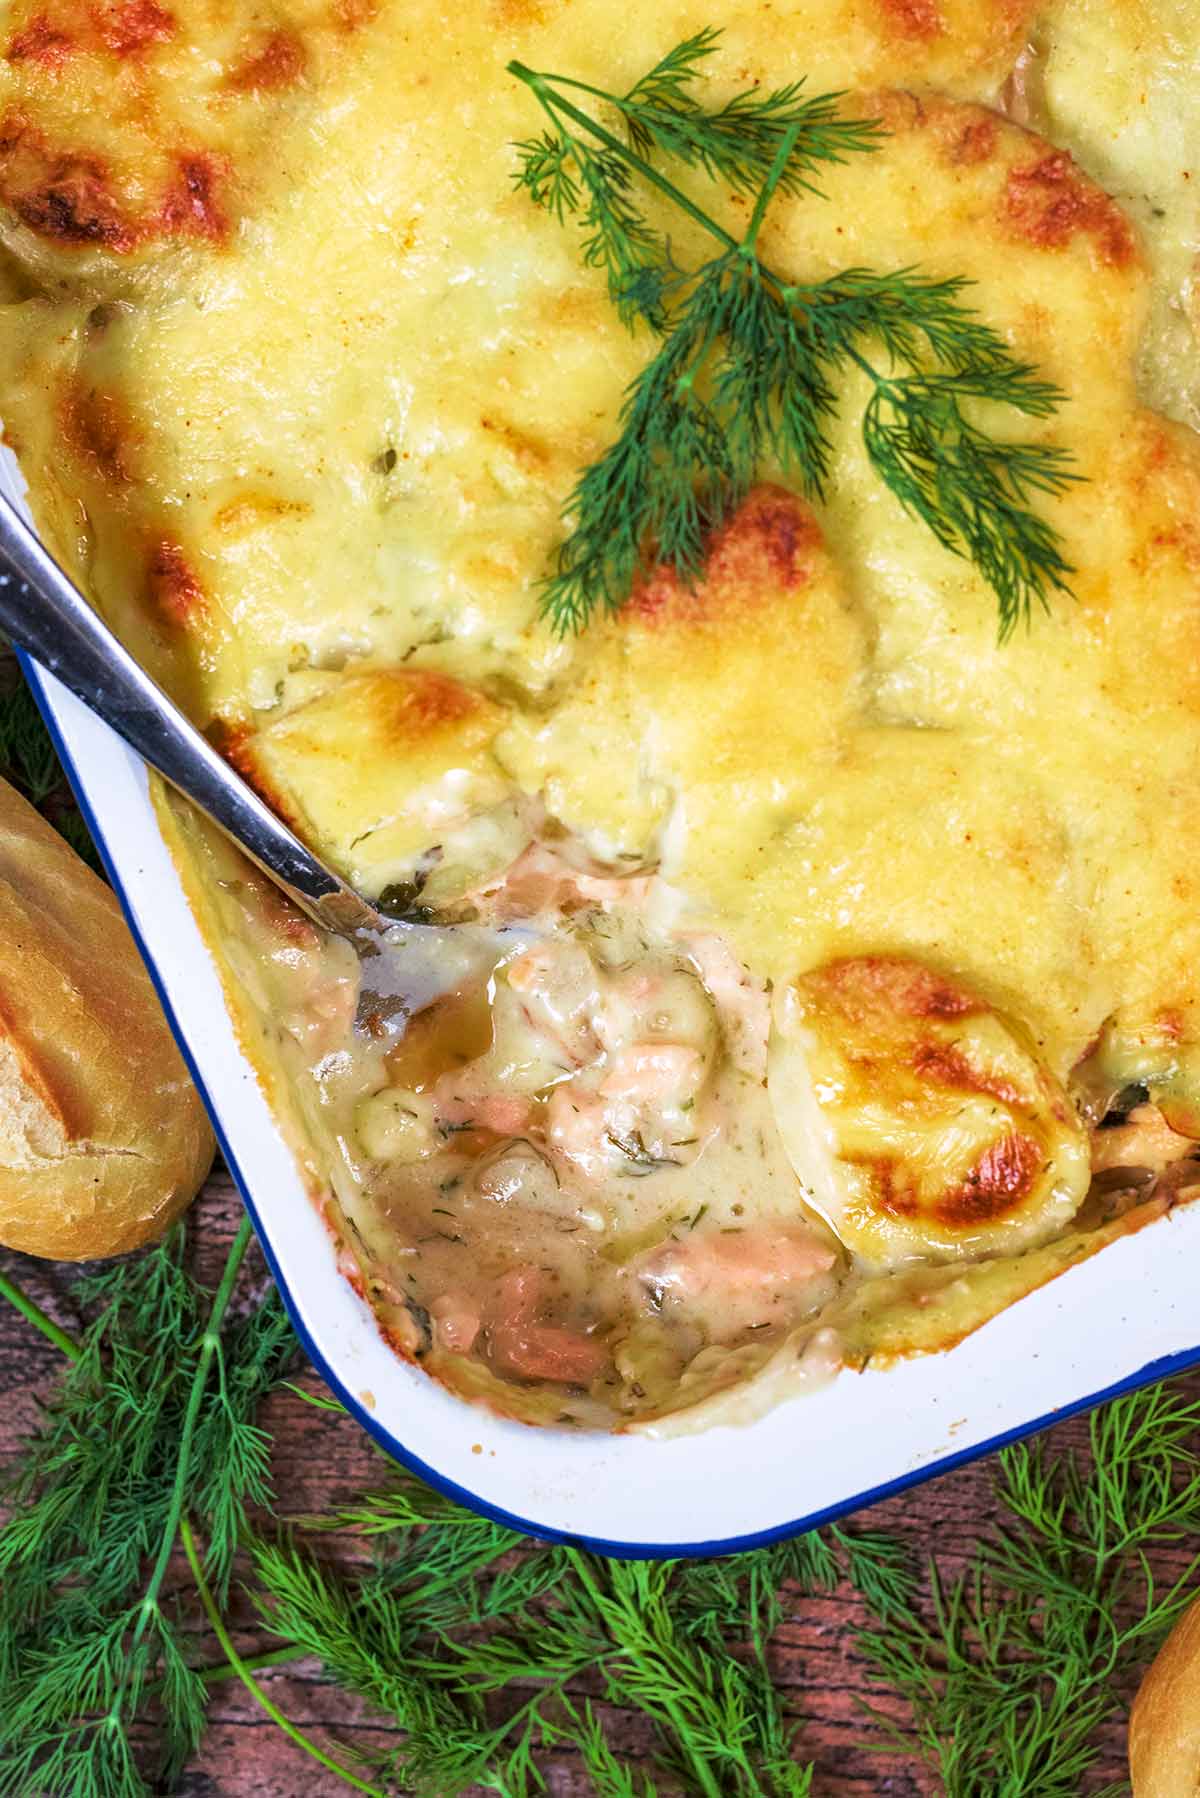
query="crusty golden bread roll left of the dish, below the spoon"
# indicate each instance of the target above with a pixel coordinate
(103, 1139)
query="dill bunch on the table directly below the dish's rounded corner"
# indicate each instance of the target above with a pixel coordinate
(460, 1616)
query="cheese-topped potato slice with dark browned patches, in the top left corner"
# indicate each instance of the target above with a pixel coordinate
(127, 123)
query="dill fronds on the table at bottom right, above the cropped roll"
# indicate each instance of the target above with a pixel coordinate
(1023, 1659)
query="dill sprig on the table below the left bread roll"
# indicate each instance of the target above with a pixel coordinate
(87, 1633)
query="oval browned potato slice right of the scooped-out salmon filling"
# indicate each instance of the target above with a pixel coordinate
(918, 1119)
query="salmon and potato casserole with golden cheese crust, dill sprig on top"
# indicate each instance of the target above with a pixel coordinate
(701, 519)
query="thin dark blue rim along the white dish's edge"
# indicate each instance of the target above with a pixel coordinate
(1145, 1376)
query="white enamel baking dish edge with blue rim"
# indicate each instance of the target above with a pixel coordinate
(1124, 1319)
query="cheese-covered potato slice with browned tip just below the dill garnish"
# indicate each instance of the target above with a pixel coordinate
(712, 709)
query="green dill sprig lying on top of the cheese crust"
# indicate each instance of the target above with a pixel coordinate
(749, 360)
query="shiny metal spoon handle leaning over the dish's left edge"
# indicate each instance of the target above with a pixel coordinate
(44, 614)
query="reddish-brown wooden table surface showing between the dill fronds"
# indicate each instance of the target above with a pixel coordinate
(323, 1461)
